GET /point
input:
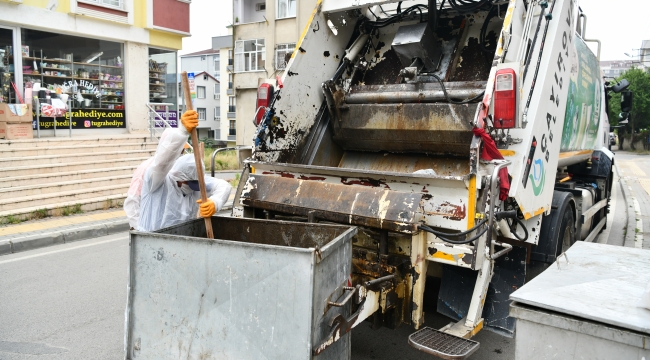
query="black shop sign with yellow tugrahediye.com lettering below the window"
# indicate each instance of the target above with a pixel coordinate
(85, 119)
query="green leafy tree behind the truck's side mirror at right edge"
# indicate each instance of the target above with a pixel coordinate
(640, 114)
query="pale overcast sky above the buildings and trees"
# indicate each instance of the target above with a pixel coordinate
(620, 25)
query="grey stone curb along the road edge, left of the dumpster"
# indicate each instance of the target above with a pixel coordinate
(41, 240)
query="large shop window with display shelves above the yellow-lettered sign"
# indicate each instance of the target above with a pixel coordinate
(80, 74)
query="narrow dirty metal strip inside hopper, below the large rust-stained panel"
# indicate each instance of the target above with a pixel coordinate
(444, 166)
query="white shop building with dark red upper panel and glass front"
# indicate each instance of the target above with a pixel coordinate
(112, 61)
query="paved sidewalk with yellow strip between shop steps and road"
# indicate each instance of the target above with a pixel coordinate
(36, 234)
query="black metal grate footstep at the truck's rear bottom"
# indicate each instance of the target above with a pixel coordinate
(441, 344)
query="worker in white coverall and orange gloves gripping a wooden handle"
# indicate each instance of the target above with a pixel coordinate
(170, 190)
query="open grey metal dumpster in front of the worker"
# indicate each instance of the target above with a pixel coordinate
(260, 291)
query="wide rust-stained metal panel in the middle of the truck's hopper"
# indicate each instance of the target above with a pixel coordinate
(426, 128)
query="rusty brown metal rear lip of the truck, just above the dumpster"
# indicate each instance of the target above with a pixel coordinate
(371, 206)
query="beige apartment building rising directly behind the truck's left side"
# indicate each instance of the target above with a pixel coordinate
(265, 33)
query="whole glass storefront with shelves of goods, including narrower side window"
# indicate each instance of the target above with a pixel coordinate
(80, 82)
